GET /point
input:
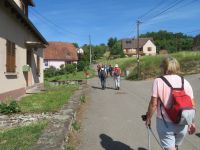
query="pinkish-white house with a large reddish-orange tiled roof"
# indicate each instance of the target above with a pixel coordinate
(59, 53)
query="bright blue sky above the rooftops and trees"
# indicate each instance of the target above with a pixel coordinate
(74, 20)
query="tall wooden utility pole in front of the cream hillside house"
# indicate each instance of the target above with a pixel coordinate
(138, 50)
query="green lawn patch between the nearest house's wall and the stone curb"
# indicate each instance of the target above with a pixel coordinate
(49, 101)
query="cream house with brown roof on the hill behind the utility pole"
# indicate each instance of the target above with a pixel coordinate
(146, 46)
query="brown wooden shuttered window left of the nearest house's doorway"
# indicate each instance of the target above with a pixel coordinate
(10, 57)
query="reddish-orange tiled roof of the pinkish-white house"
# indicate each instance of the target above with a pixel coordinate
(60, 51)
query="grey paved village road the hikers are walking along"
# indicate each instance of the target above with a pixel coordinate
(113, 119)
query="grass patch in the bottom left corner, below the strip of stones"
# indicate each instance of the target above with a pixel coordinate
(21, 138)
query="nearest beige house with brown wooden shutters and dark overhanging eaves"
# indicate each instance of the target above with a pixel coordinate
(21, 49)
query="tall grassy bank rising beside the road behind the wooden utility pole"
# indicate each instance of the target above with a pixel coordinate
(150, 65)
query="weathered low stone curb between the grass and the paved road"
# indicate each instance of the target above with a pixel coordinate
(55, 136)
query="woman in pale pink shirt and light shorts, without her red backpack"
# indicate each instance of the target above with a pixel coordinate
(171, 135)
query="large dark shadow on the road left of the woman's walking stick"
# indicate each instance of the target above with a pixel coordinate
(109, 144)
